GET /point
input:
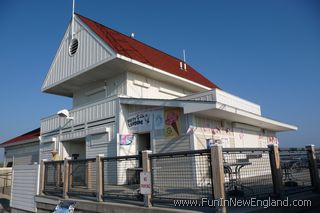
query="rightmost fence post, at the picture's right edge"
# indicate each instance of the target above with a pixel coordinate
(314, 173)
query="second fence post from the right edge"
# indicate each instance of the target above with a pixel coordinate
(274, 158)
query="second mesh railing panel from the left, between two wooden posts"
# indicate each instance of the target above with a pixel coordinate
(82, 177)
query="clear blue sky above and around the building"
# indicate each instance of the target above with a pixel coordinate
(265, 51)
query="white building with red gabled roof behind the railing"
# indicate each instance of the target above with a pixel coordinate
(128, 97)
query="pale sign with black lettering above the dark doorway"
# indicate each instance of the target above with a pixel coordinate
(140, 122)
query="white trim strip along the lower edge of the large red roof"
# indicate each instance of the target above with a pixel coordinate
(160, 71)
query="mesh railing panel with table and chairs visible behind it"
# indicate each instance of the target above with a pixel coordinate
(247, 172)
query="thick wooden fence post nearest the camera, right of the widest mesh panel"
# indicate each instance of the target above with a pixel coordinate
(218, 176)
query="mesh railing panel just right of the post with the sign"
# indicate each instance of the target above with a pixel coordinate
(181, 175)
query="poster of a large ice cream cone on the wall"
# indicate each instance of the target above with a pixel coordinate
(172, 123)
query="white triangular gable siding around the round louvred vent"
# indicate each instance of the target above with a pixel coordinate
(91, 51)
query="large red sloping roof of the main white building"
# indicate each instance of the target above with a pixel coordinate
(134, 49)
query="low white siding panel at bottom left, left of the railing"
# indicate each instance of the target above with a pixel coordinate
(24, 187)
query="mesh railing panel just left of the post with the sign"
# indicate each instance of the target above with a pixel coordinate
(122, 177)
